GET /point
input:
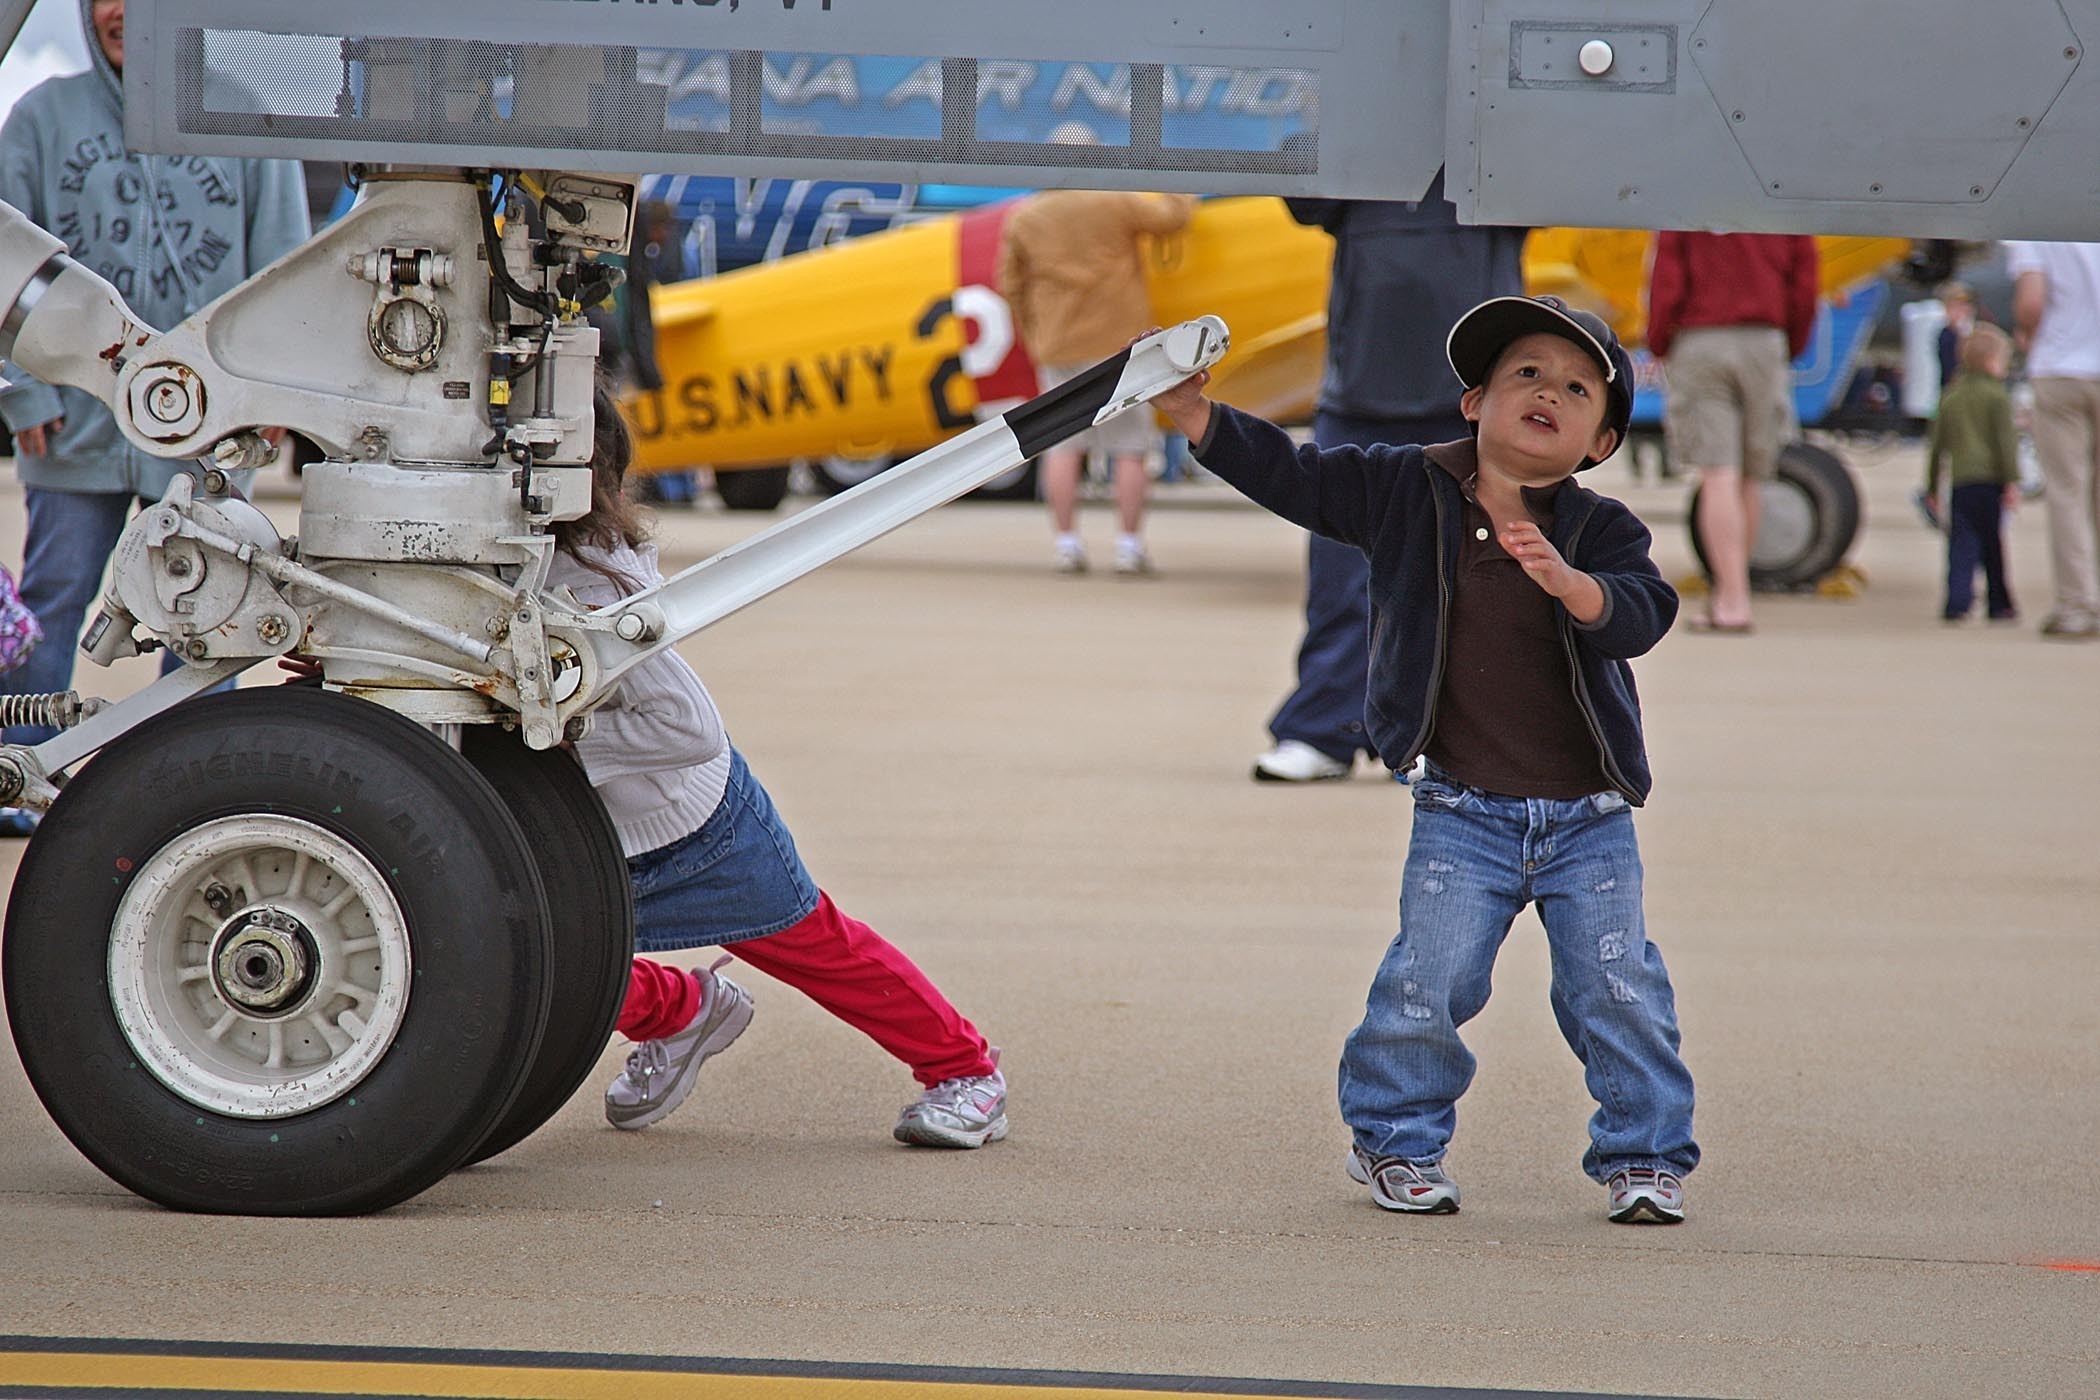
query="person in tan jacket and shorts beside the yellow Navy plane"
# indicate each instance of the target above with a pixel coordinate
(1072, 268)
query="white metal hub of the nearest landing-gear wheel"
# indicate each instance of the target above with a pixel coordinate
(259, 967)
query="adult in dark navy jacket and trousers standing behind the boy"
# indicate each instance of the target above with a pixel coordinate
(1402, 276)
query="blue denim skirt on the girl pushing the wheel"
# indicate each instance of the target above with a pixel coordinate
(734, 878)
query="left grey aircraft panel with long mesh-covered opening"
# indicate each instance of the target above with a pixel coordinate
(1339, 98)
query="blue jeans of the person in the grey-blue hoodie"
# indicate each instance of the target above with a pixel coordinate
(64, 557)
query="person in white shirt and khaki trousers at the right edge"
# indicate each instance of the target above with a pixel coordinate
(2057, 324)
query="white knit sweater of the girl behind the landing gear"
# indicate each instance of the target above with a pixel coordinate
(656, 750)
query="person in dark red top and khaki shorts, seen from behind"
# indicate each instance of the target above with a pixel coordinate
(1727, 314)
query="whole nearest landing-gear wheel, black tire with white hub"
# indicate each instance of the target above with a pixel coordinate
(278, 954)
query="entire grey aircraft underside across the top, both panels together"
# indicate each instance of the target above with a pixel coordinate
(1872, 116)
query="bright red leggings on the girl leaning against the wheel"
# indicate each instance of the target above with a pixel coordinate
(843, 967)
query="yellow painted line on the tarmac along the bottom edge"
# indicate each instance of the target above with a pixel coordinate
(345, 1378)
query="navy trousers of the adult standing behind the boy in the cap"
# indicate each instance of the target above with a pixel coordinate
(1335, 660)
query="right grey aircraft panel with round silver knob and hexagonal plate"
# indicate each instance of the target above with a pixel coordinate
(1935, 119)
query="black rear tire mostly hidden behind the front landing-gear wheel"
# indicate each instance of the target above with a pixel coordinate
(591, 901)
